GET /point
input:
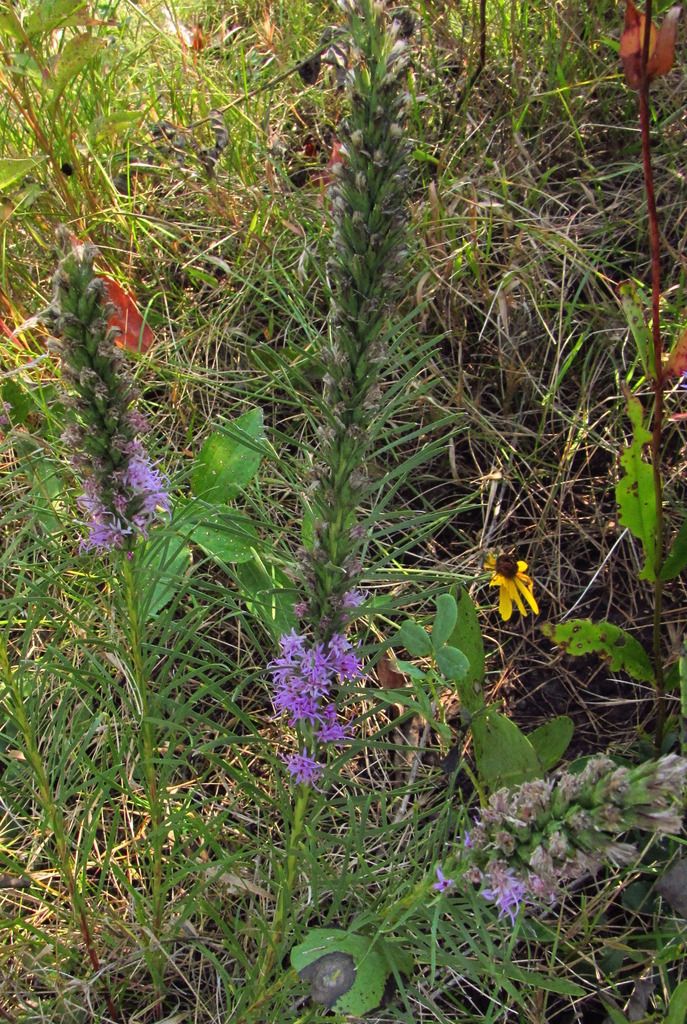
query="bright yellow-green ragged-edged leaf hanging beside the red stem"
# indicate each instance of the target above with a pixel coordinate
(635, 493)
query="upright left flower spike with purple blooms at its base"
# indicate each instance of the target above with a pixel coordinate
(123, 493)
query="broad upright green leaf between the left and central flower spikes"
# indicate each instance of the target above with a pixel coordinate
(230, 459)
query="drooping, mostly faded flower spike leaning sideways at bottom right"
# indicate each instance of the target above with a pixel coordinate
(532, 842)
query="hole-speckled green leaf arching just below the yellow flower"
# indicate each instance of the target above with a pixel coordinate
(623, 652)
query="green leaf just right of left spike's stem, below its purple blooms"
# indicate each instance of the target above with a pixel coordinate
(160, 565)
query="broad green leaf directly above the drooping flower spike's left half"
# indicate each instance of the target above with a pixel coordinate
(503, 754)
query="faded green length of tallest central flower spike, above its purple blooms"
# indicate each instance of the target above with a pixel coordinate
(368, 210)
